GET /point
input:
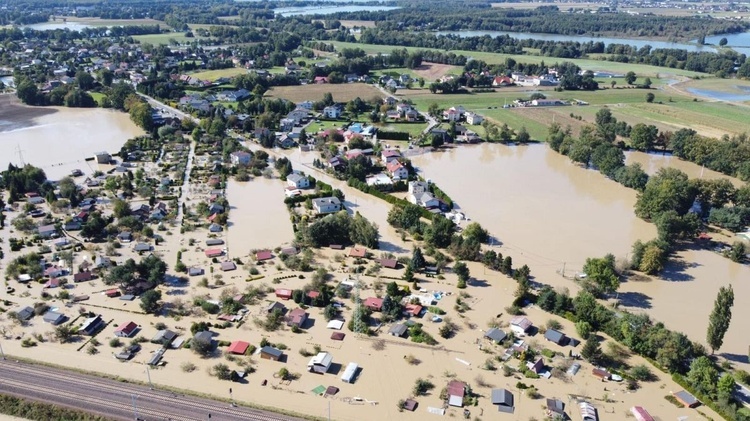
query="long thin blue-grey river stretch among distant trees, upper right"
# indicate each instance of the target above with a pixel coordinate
(581, 38)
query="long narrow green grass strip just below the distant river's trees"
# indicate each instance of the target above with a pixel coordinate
(495, 58)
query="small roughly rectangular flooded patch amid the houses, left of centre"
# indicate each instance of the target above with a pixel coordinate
(258, 217)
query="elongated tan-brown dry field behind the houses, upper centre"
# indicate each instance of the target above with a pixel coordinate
(341, 92)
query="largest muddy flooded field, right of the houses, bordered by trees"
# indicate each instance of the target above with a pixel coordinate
(546, 211)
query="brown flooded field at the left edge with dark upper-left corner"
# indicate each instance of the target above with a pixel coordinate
(60, 139)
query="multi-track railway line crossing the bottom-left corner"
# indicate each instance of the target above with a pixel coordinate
(117, 400)
